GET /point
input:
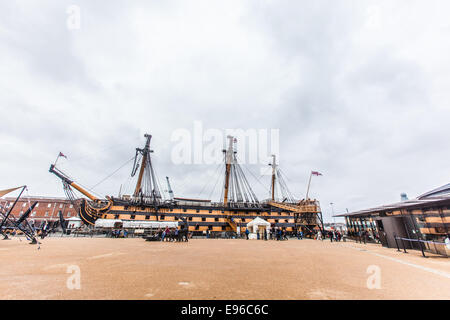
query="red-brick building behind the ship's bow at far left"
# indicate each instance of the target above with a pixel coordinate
(47, 208)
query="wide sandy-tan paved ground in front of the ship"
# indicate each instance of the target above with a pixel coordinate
(216, 269)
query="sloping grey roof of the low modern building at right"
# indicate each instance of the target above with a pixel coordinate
(438, 196)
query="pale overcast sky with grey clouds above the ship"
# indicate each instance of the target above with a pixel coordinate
(359, 91)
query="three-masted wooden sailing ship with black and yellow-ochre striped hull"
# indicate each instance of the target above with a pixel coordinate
(238, 204)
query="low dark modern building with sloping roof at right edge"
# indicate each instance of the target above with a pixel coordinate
(424, 222)
